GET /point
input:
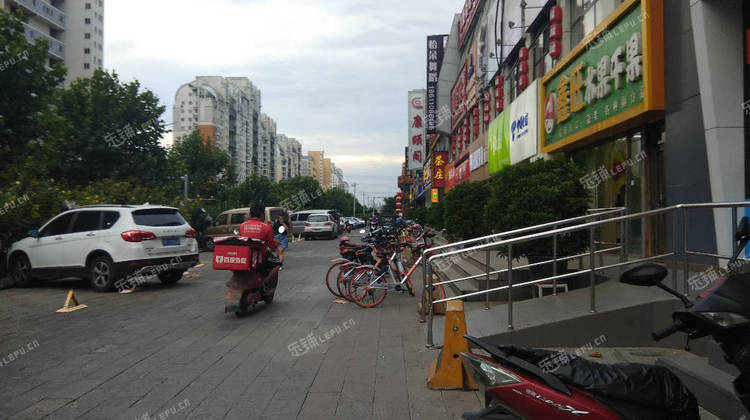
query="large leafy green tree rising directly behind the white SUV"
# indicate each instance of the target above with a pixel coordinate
(112, 130)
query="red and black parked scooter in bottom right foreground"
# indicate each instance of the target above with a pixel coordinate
(516, 387)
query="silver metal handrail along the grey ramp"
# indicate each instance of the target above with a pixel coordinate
(554, 233)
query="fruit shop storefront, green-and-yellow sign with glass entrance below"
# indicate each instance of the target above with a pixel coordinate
(603, 104)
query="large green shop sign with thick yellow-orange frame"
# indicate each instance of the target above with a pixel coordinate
(609, 78)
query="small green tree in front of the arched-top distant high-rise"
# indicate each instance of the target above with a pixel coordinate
(203, 162)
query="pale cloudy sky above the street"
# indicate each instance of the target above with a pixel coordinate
(333, 73)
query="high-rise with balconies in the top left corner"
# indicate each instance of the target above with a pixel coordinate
(74, 30)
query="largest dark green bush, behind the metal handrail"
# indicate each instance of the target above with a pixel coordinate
(543, 191)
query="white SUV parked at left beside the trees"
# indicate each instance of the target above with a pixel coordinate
(106, 243)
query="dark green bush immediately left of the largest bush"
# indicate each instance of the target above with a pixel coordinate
(464, 205)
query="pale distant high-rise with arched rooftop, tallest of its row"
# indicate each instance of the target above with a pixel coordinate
(226, 111)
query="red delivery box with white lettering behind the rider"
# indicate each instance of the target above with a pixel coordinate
(237, 253)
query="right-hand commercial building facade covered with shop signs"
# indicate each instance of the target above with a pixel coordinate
(648, 96)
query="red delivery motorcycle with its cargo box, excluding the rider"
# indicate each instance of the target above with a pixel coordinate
(250, 260)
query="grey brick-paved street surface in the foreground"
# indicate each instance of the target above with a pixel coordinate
(171, 352)
